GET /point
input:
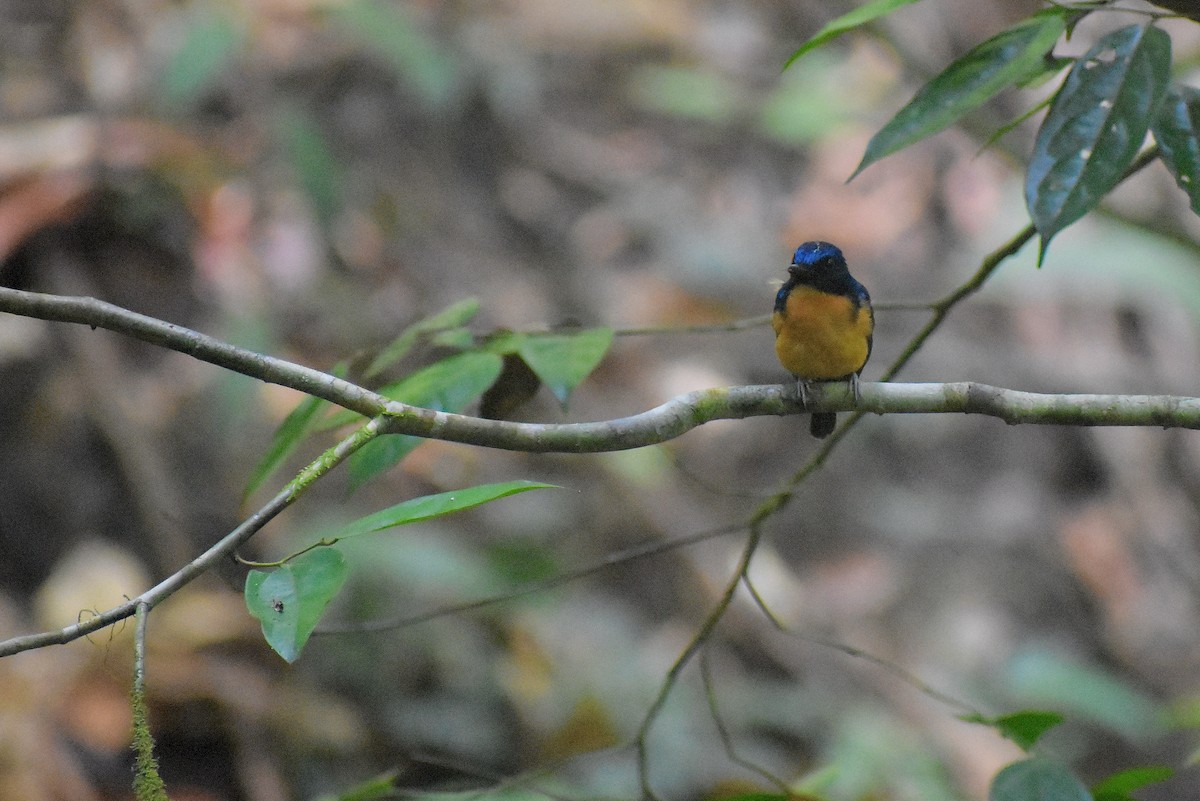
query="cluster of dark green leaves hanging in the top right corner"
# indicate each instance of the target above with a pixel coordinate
(1097, 121)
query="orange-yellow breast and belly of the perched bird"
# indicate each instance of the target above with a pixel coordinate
(821, 336)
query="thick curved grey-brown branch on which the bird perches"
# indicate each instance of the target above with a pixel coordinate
(659, 425)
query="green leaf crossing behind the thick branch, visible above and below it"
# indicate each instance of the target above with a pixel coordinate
(448, 386)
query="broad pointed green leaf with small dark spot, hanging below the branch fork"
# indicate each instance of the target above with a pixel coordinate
(290, 600)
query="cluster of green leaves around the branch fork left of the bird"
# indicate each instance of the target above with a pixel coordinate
(291, 599)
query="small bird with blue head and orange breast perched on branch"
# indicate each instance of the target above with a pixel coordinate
(824, 324)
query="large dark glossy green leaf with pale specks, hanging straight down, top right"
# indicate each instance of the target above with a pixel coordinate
(1096, 125)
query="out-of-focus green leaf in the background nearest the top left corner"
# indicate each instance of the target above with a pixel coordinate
(209, 46)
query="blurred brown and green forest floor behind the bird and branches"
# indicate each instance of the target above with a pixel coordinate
(308, 178)
